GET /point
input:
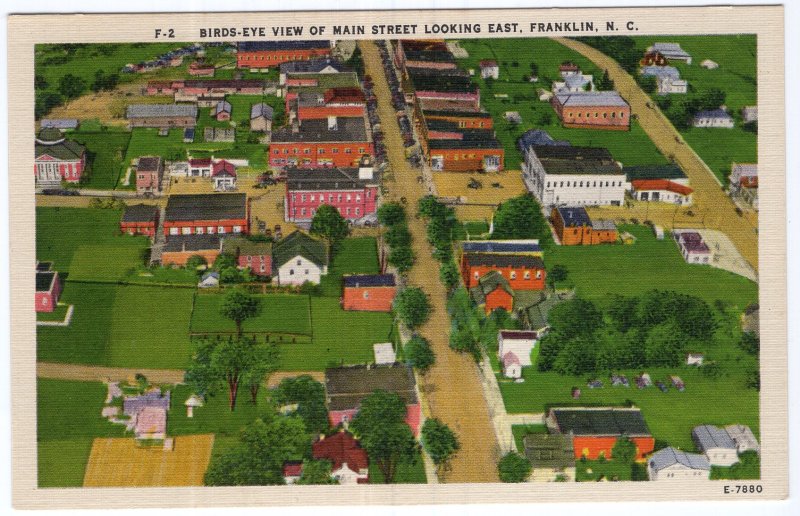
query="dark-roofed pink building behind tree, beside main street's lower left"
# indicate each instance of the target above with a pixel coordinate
(347, 386)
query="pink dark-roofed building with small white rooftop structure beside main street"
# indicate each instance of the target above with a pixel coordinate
(352, 191)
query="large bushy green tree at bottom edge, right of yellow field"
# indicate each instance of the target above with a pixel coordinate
(265, 444)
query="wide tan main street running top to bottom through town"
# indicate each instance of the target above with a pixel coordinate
(452, 387)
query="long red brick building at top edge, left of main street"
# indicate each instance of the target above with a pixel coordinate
(270, 54)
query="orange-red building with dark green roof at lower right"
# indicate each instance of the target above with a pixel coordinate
(595, 430)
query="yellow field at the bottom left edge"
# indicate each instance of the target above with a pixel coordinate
(119, 462)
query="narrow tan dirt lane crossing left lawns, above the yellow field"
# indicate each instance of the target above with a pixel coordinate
(87, 373)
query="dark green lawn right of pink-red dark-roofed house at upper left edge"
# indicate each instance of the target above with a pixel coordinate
(105, 152)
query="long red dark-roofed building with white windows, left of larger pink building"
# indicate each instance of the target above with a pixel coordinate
(200, 214)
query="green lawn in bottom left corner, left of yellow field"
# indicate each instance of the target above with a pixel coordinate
(68, 419)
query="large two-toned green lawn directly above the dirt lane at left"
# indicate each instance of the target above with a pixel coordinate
(123, 326)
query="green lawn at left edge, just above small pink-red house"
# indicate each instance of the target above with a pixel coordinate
(86, 243)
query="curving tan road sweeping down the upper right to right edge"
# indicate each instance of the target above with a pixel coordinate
(717, 209)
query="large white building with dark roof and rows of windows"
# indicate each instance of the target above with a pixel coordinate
(573, 176)
